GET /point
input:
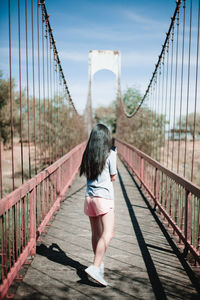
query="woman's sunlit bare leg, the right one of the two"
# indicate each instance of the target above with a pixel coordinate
(107, 221)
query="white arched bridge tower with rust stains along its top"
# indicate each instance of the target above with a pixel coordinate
(99, 60)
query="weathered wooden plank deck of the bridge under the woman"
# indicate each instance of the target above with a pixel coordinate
(141, 262)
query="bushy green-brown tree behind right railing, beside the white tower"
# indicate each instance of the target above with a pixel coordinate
(146, 130)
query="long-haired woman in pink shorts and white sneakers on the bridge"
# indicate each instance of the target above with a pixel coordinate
(99, 166)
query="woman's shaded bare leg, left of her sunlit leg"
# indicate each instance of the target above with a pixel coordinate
(97, 230)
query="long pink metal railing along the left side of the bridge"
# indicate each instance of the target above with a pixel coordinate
(25, 212)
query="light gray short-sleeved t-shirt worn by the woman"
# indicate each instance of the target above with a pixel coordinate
(102, 186)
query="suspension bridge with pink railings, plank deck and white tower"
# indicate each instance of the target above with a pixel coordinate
(45, 238)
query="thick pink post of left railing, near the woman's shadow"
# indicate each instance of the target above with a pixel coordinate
(32, 197)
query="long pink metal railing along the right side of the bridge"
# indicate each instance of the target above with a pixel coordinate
(177, 198)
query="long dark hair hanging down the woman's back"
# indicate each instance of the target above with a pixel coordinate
(96, 152)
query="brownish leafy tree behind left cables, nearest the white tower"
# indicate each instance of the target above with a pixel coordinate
(57, 127)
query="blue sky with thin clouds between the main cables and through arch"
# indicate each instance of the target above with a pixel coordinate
(135, 28)
